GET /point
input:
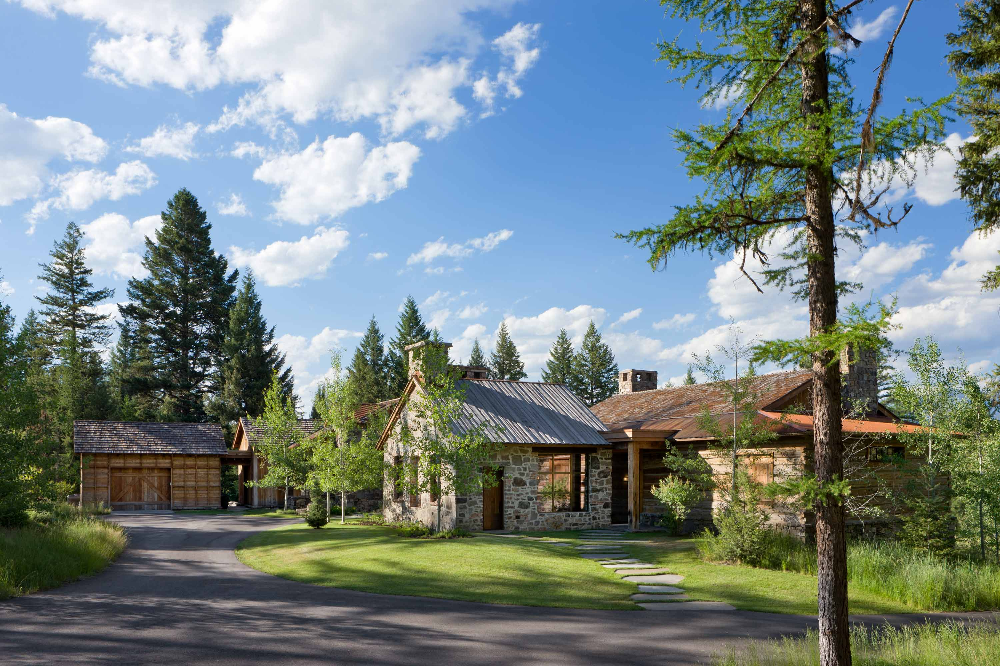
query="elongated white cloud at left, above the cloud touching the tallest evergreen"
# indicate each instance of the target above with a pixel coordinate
(79, 189)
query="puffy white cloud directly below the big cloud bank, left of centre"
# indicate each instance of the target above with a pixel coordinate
(328, 178)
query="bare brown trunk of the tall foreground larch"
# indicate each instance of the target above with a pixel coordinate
(834, 630)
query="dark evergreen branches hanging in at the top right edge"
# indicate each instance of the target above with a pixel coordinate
(974, 62)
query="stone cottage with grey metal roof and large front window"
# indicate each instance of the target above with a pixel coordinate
(554, 469)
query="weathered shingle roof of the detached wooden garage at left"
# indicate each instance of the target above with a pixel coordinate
(142, 437)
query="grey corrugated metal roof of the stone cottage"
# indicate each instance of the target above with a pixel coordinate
(529, 413)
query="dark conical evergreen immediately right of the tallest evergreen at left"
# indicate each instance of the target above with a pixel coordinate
(250, 358)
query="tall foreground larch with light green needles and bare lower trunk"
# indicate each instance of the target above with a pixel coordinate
(793, 142)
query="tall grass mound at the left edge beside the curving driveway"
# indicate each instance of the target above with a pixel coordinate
(55, 548)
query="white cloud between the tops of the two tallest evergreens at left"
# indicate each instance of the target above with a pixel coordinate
(116, 245)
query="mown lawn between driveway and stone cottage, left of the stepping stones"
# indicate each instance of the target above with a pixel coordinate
(487, 569)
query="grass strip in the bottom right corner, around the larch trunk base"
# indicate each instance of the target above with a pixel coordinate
(947, 644)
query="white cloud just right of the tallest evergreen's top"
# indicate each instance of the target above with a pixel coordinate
(285, 263)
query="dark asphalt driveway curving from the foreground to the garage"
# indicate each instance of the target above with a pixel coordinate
(179, 595)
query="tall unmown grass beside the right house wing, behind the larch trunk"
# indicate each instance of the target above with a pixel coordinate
(920, 580)
